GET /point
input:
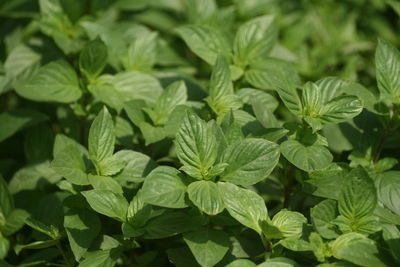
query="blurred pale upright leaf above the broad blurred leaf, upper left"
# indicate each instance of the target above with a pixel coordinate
(142, 52)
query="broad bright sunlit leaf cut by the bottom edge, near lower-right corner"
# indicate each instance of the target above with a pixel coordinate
(357, 249)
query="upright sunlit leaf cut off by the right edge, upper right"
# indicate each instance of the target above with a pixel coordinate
(387, 61)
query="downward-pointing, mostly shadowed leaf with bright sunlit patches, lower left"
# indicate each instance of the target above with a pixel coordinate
(82, 227)
